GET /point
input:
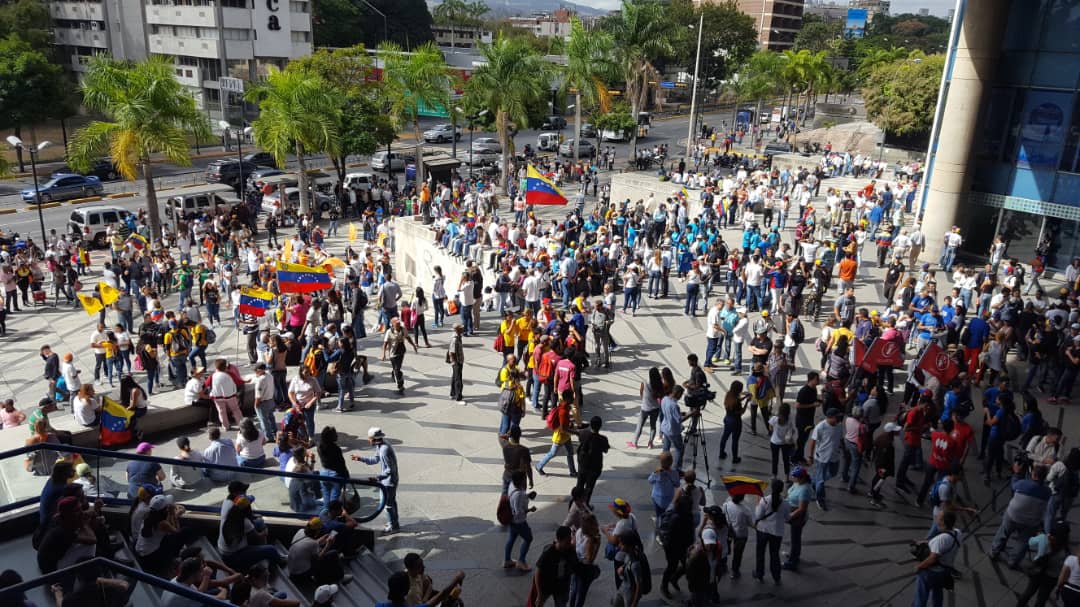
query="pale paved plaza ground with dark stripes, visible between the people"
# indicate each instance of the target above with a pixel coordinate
(451, 462)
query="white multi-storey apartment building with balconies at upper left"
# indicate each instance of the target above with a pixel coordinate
(207, 39)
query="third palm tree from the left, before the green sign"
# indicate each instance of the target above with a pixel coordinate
(413, 82)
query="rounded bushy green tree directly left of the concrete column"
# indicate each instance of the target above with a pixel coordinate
(901, 97)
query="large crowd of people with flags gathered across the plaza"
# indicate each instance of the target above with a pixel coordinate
(833, 413)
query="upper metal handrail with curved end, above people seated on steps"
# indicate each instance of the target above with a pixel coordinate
(208, 466)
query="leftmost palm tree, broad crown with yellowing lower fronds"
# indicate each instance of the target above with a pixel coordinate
(148, 113)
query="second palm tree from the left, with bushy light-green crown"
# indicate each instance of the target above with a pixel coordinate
(298, 115)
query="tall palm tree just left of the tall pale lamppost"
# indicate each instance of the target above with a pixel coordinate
(643, 35)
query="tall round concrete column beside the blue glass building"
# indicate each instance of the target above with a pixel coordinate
(975, 62)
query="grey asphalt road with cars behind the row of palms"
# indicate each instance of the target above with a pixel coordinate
(25, 221)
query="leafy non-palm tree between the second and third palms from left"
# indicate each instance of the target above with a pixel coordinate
(363, 127)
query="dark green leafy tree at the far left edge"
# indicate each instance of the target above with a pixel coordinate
(31, 86)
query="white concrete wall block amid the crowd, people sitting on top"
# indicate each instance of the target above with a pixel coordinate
(416, 253)
